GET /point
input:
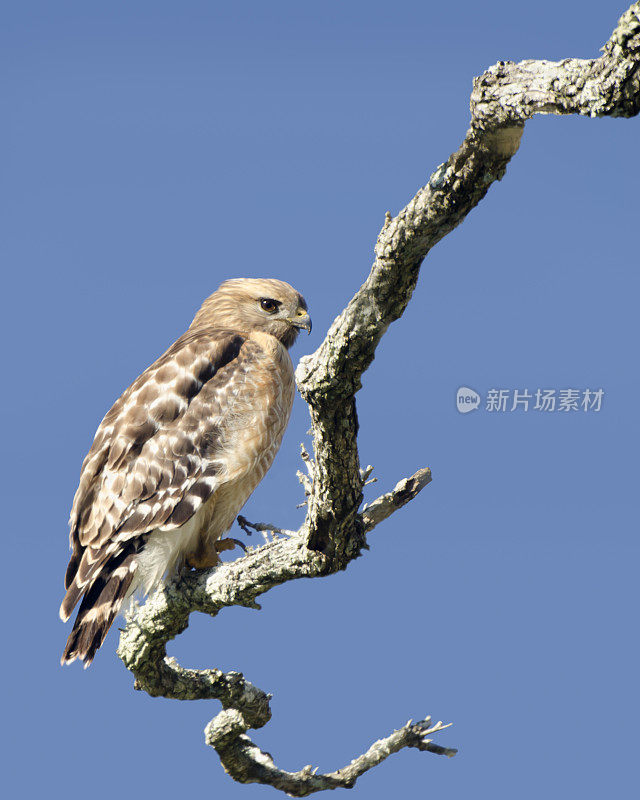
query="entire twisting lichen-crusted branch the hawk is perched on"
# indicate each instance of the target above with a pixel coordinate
(333, 534)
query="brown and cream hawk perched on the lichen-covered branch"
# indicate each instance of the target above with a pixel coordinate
(179, 453)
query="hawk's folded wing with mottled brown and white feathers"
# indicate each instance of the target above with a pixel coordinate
(160, 451)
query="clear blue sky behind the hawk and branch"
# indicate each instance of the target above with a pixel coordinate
(153, 149)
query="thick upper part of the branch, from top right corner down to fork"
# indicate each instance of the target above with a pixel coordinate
(503, 99)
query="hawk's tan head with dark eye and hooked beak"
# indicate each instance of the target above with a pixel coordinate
(256, 304)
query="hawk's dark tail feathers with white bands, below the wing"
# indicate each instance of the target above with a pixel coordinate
(104, 593)
